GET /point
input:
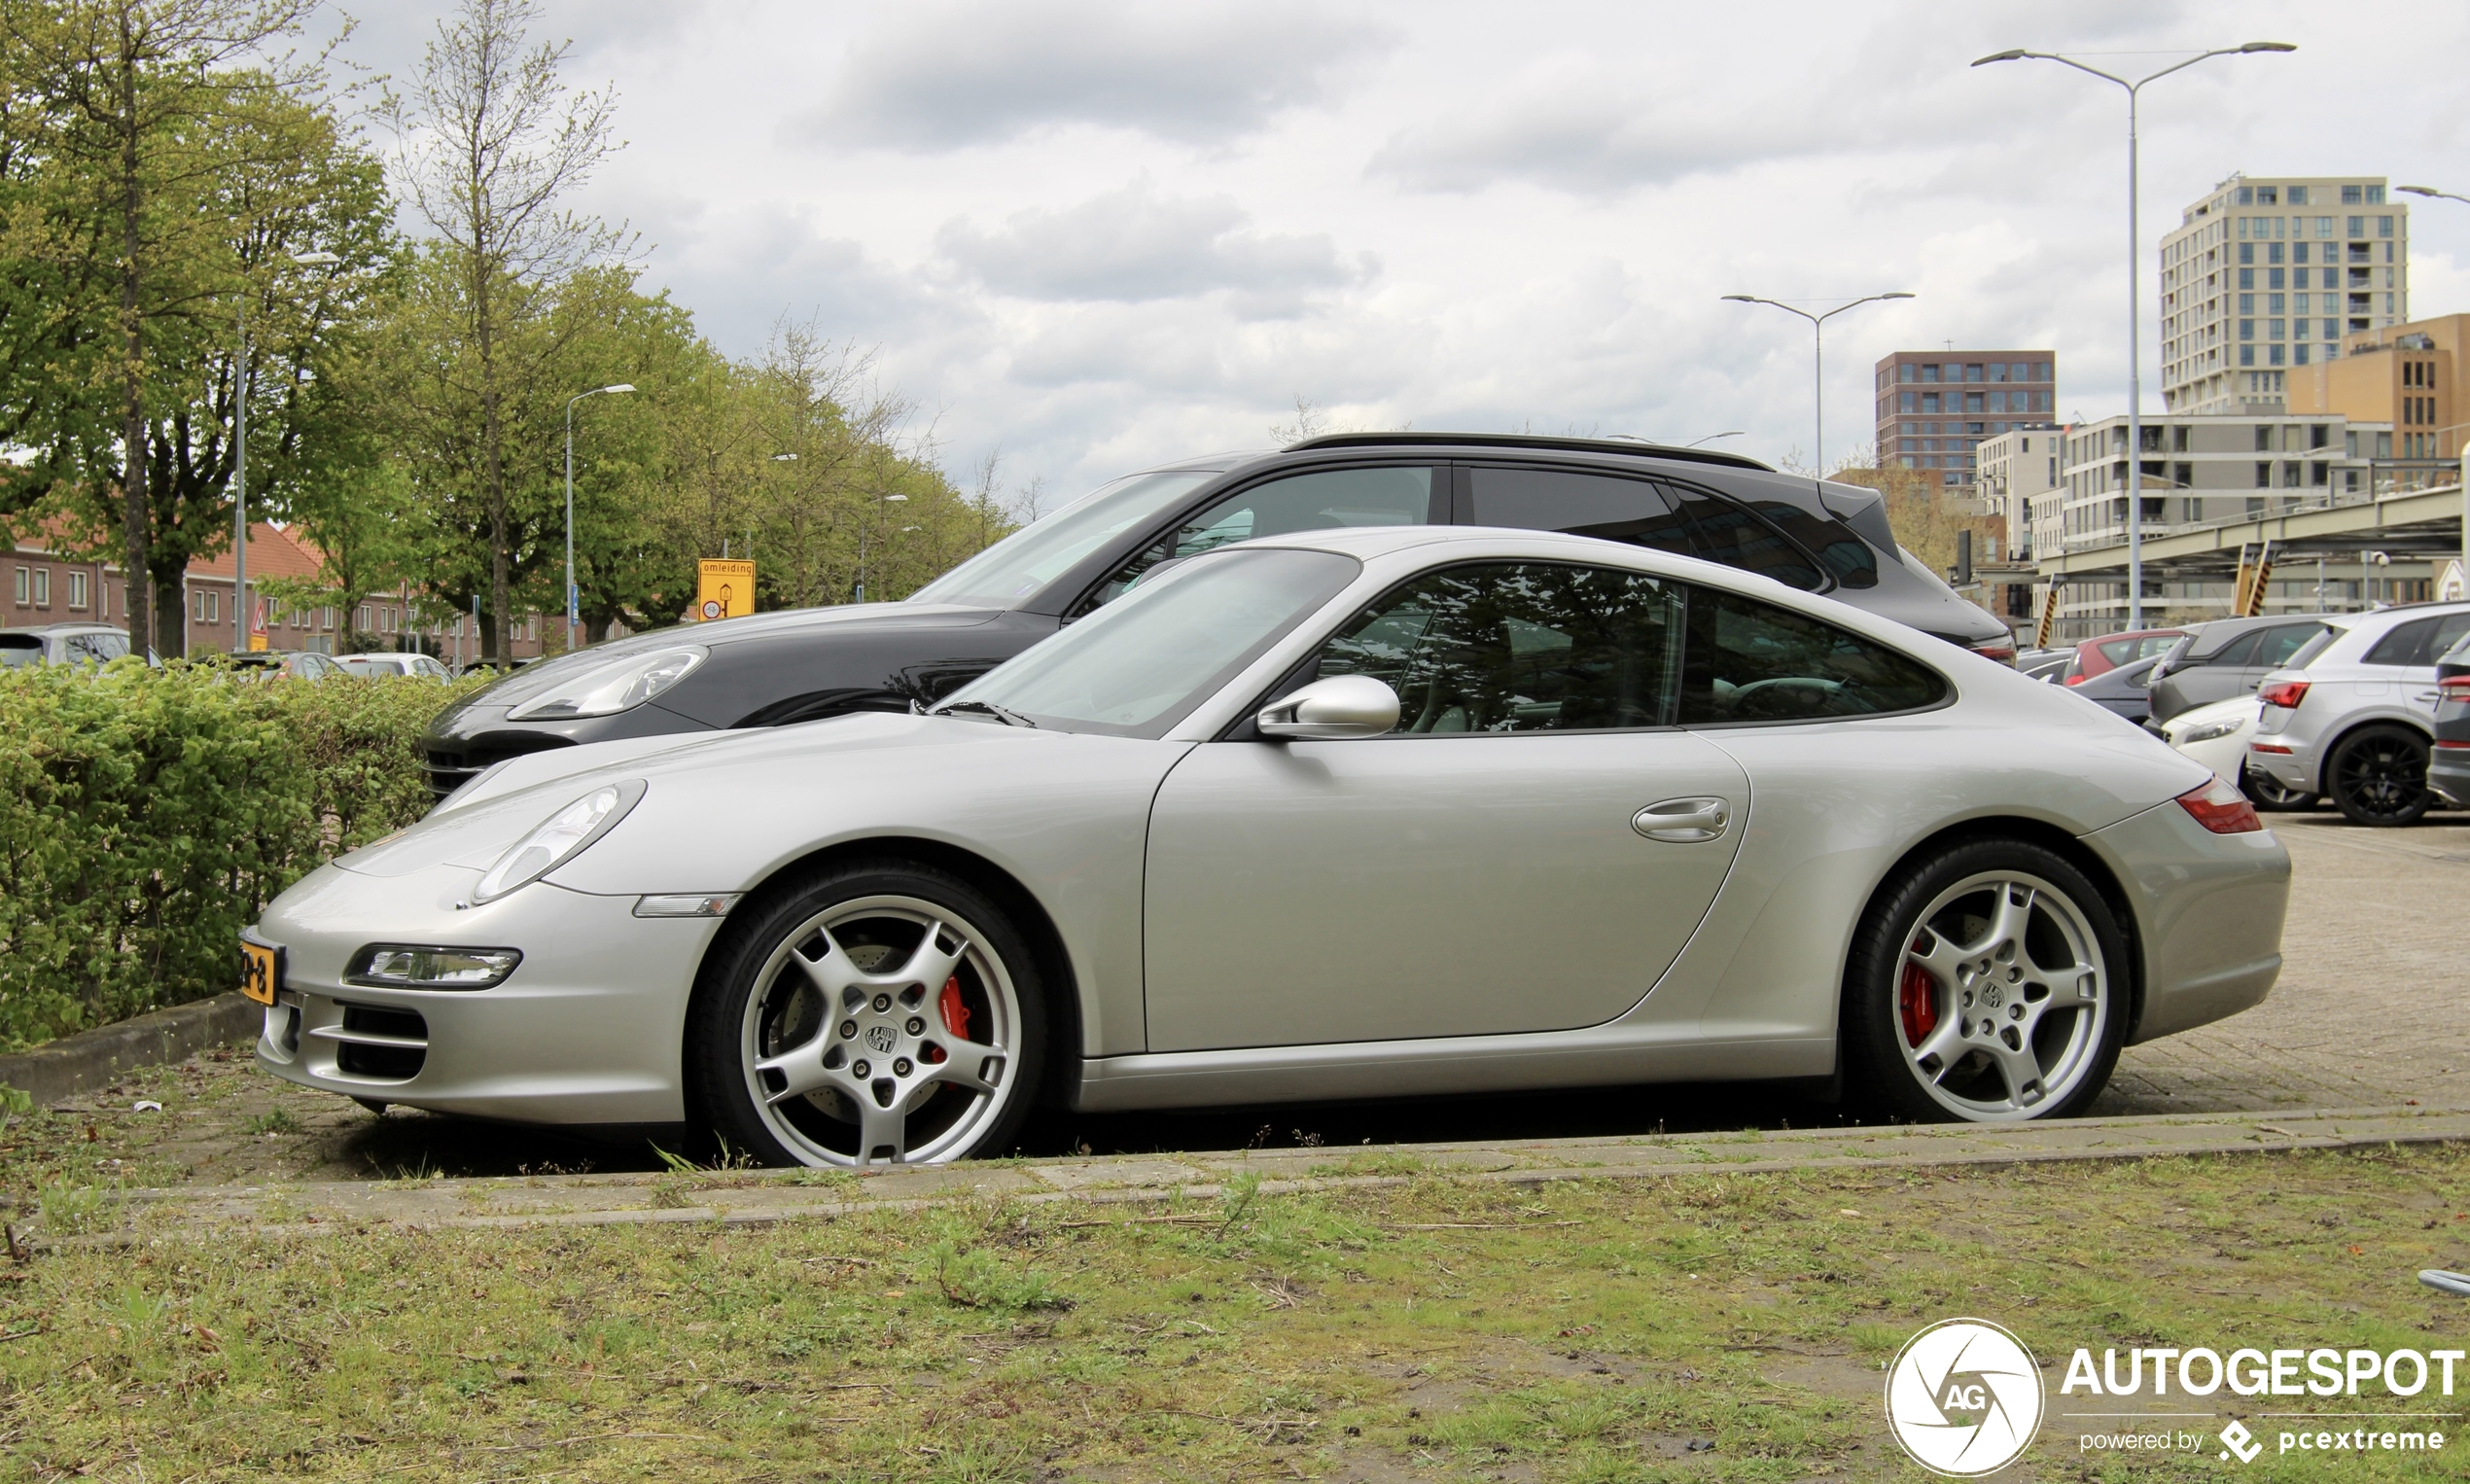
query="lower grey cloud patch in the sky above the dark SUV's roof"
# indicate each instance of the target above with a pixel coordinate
(1135, 246)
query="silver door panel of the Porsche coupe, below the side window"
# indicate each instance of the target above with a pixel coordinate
(1421, 885)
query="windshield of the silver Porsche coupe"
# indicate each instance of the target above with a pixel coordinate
(1150, 658)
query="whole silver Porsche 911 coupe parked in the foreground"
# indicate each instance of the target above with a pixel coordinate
(1357, 814)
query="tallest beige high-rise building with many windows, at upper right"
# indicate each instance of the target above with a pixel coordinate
(2271, 275)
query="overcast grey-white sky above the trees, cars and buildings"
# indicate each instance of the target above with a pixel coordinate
(1103, 236)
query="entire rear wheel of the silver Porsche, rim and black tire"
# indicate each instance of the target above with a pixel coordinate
(1987, 989)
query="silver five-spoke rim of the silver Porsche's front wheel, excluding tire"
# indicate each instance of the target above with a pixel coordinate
(883, 1031)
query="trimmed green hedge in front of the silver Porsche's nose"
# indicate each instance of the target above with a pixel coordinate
(147, 816)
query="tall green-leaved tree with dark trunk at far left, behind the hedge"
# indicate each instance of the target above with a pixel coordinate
(144, 115)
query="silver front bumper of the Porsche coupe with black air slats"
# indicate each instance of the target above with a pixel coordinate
(587, 1031)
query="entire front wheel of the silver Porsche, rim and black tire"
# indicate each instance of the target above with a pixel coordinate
(878, 1016)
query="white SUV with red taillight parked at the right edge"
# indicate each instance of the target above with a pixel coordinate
(2353, 715)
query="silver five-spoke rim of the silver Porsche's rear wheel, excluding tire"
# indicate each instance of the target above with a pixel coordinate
(2002, 999)
